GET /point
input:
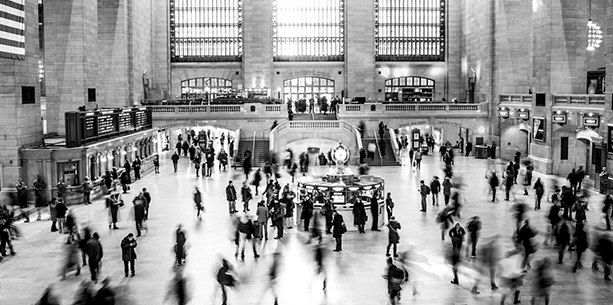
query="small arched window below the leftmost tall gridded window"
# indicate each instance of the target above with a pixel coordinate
(205, 88)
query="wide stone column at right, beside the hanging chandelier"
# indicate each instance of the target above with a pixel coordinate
(559, 63)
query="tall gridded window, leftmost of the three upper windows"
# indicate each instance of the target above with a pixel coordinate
(206, 30)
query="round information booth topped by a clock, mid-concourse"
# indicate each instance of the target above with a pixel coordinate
(340, 185)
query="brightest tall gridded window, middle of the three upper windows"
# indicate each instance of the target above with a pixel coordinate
(308, 30)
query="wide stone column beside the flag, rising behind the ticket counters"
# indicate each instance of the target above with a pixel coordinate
(71, 48)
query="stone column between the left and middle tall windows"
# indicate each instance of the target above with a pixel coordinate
(257, 44)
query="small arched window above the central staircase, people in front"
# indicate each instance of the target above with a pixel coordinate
(308, 88)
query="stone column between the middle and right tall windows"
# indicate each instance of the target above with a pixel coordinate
(360, 49)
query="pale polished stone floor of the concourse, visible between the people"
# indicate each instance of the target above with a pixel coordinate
(354, 275)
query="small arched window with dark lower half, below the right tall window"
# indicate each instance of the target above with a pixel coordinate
(409, 89)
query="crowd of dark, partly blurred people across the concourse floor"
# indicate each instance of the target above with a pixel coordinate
(282, 208)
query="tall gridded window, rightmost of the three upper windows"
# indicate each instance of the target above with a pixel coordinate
(410, 30)
